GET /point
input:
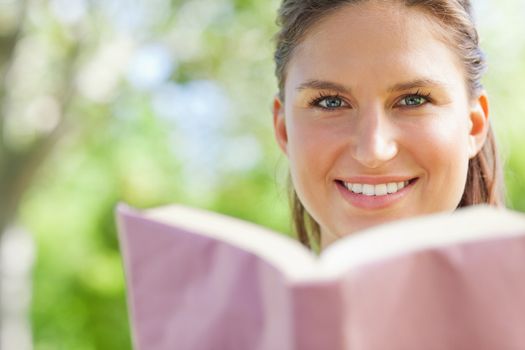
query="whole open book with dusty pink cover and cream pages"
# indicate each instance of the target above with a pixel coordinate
(203, 281)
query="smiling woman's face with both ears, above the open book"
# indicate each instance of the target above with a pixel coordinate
(377, 123)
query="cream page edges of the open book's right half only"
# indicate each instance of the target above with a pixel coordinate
(475, 223)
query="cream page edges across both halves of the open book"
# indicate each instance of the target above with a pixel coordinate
(392, 239)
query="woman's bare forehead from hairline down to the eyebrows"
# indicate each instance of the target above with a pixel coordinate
(375, 39)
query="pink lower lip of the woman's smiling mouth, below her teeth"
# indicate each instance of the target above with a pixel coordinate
(362, 201)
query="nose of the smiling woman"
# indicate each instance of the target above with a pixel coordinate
(374, 143)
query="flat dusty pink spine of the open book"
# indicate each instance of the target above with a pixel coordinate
(317, 315)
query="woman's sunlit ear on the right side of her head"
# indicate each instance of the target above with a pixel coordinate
(479, 122)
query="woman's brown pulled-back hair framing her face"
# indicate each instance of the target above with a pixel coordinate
(484, 179)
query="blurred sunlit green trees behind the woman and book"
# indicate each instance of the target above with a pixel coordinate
(153, 102)
